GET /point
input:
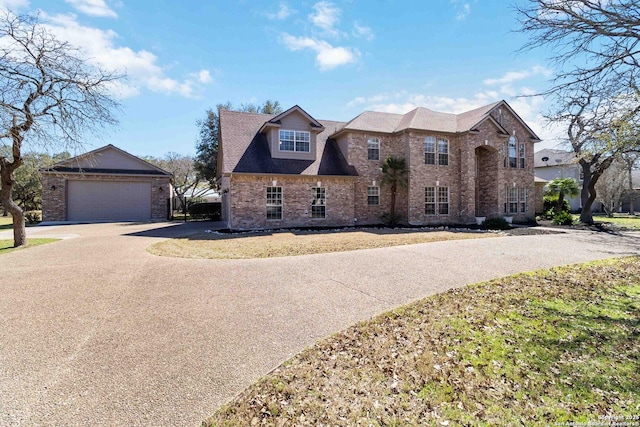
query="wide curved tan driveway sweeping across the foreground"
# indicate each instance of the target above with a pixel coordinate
(95, 331)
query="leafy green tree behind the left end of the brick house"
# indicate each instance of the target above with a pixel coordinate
(206, 160)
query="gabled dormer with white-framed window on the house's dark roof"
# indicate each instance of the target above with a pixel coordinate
(292, 135)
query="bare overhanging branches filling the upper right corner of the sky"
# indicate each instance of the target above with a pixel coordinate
(594, 41)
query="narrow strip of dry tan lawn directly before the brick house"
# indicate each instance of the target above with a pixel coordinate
(288, 243)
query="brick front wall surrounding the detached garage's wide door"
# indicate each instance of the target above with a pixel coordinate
(54, 202)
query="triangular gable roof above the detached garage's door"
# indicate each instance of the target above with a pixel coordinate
(108, 158)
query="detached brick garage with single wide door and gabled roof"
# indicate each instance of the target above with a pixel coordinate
(107, 184)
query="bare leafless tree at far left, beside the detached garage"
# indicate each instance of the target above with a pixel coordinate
(49, 95)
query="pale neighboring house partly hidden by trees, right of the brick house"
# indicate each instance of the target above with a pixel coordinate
(551, 164)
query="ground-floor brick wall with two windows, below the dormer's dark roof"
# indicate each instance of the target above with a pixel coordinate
(248, 193)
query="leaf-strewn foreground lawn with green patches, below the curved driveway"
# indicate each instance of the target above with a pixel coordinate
(553, 346)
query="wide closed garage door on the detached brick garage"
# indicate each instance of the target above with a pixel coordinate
(108, 201)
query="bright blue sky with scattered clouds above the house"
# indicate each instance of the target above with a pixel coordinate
(334, 59)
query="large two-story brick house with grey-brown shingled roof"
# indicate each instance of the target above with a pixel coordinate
(292, 170)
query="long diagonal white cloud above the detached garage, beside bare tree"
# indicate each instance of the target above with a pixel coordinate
(141, 67)
